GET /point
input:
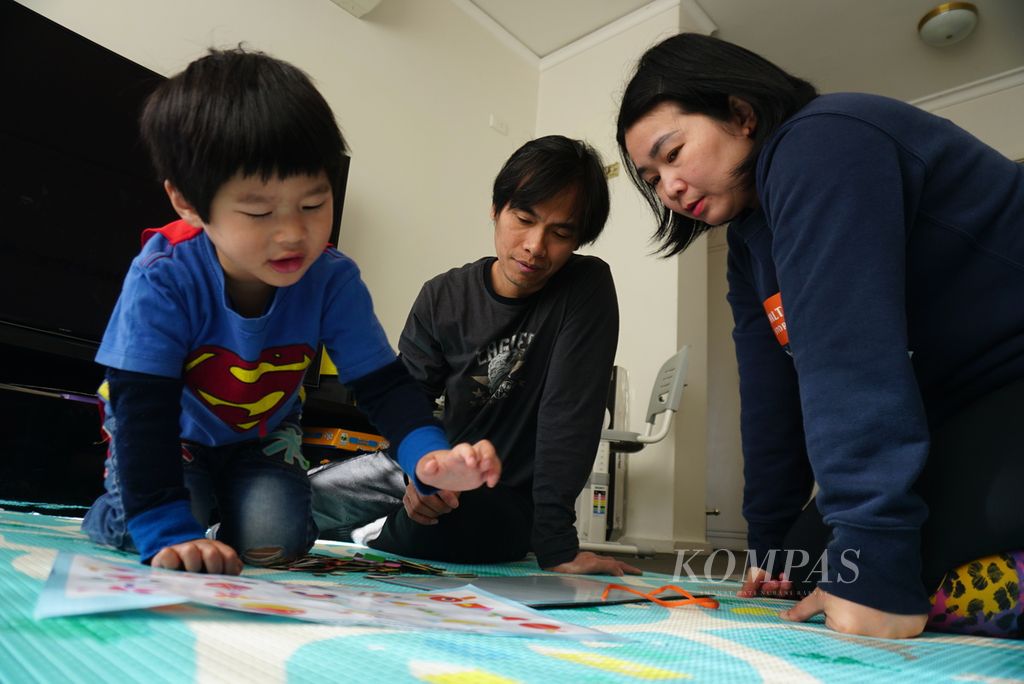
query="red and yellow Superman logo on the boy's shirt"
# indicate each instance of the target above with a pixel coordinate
(242, 394)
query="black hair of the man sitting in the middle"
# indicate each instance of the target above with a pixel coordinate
(543, 168)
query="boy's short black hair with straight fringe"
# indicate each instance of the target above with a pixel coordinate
(240, 111)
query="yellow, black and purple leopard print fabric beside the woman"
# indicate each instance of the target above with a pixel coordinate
(985, 597)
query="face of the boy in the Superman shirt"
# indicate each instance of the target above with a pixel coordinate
(269, 234)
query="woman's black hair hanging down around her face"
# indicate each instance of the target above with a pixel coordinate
(700, 74)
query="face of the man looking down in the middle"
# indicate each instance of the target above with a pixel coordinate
(533, 244)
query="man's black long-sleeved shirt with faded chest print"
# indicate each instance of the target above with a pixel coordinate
(531, 375)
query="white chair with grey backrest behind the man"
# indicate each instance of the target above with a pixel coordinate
(666, 397)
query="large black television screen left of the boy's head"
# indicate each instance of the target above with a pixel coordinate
(76, 187)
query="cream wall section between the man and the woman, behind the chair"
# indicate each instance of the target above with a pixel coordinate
(579, 97)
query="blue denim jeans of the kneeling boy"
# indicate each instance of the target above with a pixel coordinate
(260, 490)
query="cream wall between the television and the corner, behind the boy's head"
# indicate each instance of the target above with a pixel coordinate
(412, 84)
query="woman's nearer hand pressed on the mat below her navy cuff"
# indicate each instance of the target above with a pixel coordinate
(849, 618)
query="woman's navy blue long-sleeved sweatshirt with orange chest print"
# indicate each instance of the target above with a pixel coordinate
(877, 291)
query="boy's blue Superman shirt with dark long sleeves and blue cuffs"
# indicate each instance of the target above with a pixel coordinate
(185, 366)
